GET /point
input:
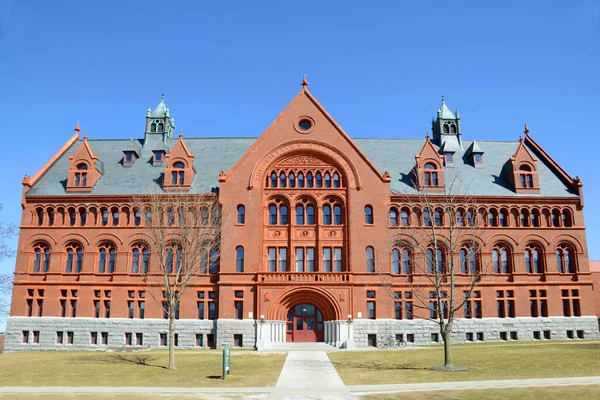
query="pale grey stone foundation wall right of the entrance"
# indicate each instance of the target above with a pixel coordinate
(560, 328)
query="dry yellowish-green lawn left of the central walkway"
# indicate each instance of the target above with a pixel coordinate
(194, 369)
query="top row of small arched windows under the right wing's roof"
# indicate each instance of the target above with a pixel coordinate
(489, 217)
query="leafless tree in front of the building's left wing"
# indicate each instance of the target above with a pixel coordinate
(185, 235)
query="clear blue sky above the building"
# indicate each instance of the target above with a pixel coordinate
(228, 69)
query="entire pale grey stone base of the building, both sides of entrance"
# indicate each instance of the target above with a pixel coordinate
(270, 335)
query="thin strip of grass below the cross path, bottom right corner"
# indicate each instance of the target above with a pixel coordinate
(551, 393)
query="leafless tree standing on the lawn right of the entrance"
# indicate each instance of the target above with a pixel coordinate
(439, 251)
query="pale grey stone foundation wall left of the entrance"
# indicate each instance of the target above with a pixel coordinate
(223, 331)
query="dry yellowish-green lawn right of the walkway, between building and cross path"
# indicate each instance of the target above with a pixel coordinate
(513, 361)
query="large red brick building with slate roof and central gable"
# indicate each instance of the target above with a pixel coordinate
(315, 211)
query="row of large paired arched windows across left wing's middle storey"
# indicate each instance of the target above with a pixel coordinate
(107, 258)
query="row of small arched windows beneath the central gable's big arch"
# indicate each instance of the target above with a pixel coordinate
(310, 178)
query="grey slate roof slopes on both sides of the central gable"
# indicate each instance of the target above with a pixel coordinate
(397, 156)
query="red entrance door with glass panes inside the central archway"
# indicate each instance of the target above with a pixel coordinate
(305, 324)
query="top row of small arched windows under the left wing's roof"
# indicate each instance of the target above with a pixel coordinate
(117, 216)
